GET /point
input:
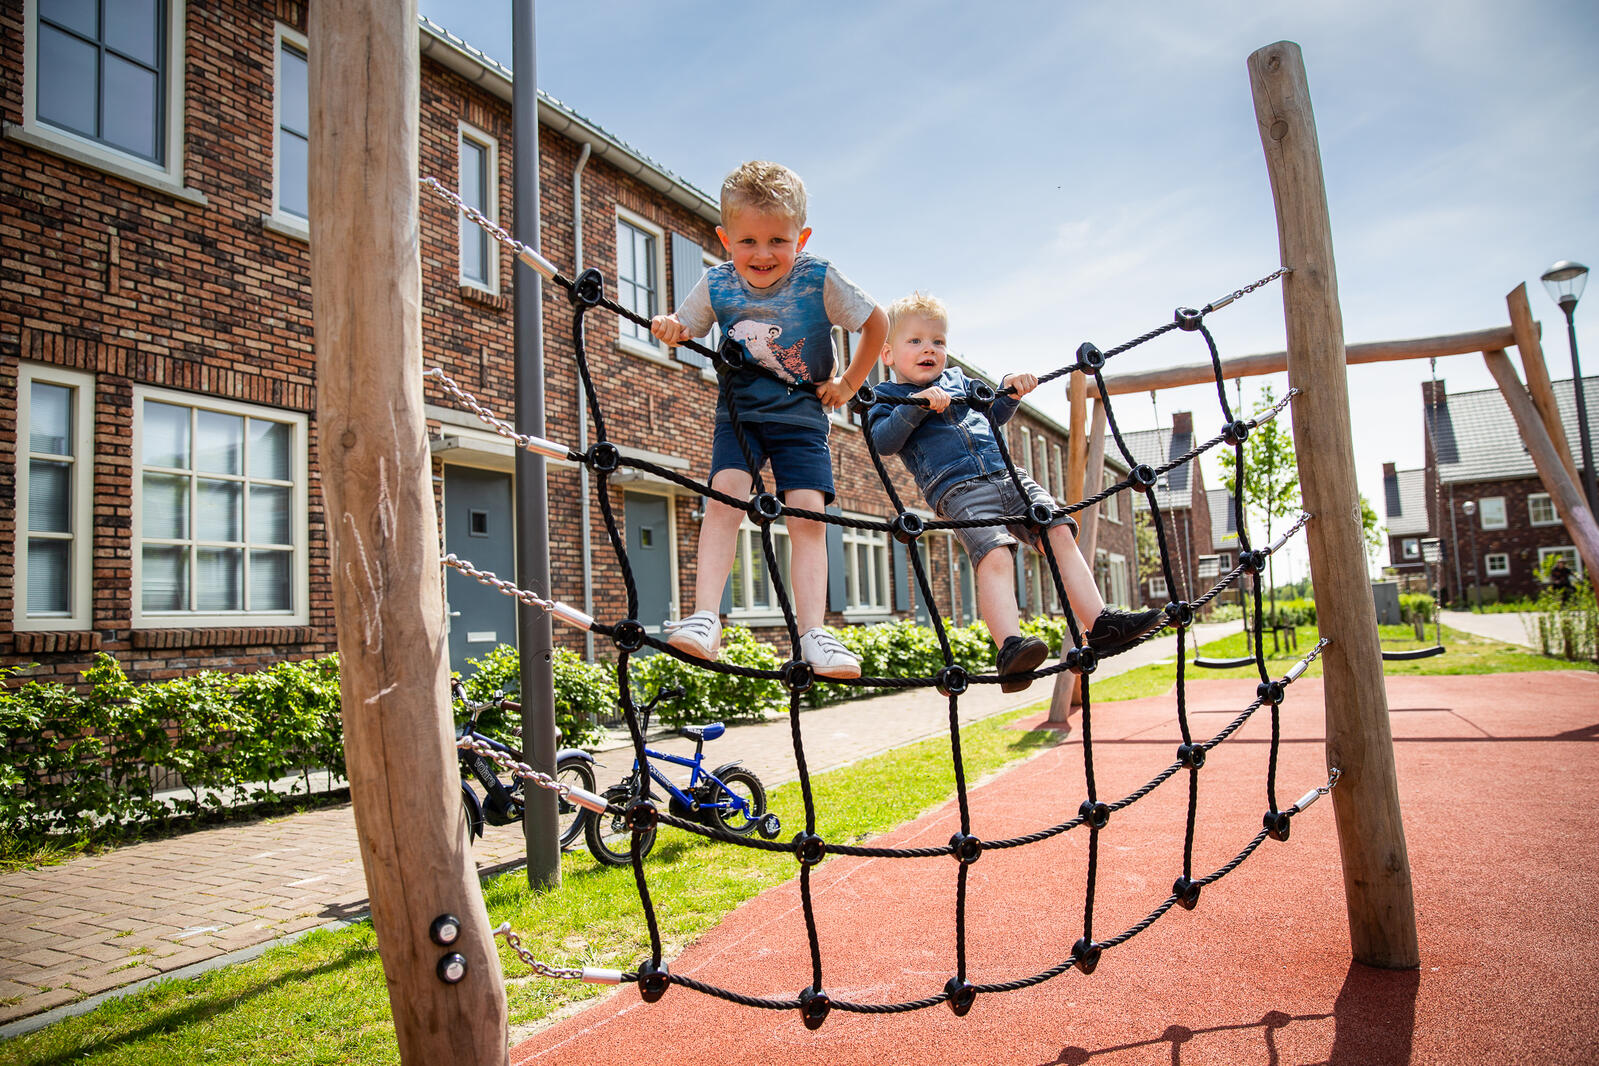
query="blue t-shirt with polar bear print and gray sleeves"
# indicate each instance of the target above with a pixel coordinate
(786, 328)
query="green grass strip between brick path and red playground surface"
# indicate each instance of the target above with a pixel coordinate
(322, 1000)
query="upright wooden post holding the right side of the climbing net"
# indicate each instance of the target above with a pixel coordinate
(1366, 803)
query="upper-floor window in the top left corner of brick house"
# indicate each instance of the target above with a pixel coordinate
(103, 86)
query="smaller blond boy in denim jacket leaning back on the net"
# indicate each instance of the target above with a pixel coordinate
(952, 455)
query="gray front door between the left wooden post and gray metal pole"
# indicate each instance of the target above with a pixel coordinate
(479, 530)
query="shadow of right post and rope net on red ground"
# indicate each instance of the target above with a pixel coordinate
(1374, 1025)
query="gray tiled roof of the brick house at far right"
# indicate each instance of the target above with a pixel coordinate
(1478, 439)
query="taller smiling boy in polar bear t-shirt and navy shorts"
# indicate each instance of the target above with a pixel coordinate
(781, 304)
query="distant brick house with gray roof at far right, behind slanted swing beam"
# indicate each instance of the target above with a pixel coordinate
(1475, 455)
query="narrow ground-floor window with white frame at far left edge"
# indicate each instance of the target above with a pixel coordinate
(55, 498)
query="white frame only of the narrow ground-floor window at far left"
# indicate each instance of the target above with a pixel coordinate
(82, 554)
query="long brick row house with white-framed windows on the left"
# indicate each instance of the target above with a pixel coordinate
(159, 459)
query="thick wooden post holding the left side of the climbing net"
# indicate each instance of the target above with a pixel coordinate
(377, 477)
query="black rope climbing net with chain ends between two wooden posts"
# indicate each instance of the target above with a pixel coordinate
(765, 509)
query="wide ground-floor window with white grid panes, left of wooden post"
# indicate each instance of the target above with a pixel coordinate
(220, 511)
